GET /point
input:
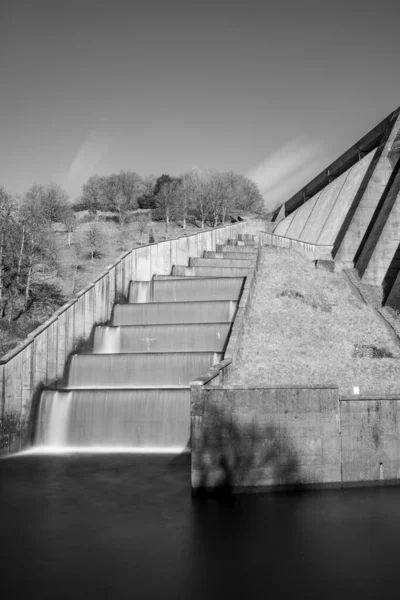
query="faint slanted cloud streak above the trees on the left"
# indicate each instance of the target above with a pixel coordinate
(91, 152)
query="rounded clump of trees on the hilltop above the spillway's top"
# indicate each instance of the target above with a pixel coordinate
(202, 198)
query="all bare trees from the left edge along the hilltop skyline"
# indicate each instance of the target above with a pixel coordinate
(27, 241)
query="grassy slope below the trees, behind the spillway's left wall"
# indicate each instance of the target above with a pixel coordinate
(115, 241)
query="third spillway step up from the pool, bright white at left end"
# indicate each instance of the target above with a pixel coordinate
(188, 337)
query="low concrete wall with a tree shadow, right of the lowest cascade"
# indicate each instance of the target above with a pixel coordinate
(278, 438)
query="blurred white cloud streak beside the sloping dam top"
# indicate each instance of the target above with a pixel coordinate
(287, 170)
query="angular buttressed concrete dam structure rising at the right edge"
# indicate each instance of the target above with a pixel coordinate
(354, 207)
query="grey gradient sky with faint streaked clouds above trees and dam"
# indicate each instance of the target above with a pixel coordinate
(272, 90)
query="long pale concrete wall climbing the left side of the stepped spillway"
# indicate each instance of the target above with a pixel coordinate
(42, 358)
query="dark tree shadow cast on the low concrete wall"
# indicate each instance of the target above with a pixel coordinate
(241, 456)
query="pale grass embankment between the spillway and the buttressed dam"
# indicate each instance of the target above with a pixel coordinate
(302, 328)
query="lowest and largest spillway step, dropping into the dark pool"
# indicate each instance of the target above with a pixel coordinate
(152, 418)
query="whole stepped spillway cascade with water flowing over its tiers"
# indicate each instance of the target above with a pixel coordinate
(133, 389)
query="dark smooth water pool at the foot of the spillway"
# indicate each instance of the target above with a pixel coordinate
(82, 526)
